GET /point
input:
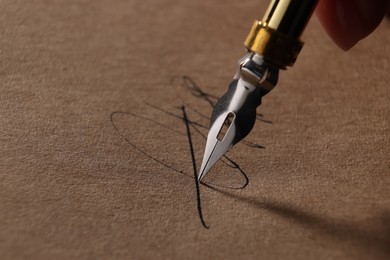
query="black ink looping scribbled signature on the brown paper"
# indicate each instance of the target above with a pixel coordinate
(188, 84)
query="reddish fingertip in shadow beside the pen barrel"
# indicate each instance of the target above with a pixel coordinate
(349, 21)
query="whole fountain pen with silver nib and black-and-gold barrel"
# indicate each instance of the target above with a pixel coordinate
(273, 44)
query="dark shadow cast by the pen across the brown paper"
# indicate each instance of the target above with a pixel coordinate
(375, 238)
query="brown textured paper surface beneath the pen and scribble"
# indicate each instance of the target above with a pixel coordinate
(95, 160)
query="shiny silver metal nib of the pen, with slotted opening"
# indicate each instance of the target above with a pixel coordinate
(234, 114)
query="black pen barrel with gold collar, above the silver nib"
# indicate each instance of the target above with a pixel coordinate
(277, 36)
